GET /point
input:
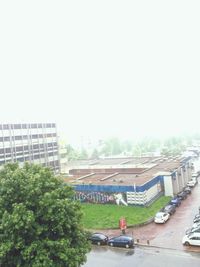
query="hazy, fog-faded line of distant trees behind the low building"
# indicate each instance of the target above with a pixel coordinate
(173, 145)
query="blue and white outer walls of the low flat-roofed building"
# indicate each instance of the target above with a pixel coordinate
(171, 182)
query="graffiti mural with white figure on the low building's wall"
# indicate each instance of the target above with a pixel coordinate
(101, 197)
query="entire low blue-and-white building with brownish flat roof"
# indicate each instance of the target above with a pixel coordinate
(130, 181)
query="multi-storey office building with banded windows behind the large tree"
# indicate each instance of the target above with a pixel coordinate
(33, 142)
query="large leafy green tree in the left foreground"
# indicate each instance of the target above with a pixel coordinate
(40, 224)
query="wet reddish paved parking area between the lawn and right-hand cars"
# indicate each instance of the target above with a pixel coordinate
(170, 234)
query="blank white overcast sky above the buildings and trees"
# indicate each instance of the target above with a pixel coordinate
(101, 68)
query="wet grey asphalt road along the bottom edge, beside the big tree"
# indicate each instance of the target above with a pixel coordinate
(143, 257)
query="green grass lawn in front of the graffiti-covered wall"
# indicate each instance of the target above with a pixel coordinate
(97, 216)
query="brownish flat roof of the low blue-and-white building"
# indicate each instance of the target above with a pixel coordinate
(150, 166)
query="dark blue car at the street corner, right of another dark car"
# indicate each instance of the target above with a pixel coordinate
(121, 241)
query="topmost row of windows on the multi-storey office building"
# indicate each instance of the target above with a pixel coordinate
(27, 126)
